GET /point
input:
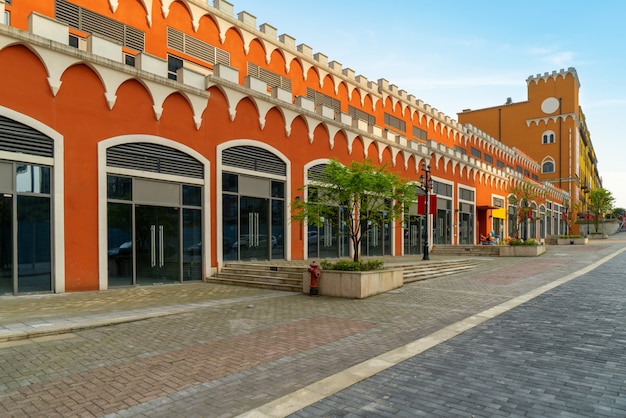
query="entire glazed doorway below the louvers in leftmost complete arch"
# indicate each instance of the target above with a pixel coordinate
(153, 243)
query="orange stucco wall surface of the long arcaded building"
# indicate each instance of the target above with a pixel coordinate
(79, 111)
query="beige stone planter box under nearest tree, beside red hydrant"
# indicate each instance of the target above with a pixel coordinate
(355, 284)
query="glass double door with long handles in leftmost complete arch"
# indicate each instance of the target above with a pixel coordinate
(157, 244)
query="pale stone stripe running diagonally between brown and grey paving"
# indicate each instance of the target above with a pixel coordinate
(324, 388)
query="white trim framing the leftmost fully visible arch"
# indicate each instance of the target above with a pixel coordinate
(102, 197)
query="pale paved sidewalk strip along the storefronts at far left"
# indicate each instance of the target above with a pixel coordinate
(31, 316)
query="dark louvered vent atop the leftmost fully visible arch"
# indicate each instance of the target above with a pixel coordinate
(155, 159)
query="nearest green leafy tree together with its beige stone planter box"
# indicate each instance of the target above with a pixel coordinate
(367, 193)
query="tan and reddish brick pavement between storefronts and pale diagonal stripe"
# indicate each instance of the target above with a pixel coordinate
(205, 350)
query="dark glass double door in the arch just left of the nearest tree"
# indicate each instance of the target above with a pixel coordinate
(254, 242)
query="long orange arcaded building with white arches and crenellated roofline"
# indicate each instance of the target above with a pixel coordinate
(153, 141)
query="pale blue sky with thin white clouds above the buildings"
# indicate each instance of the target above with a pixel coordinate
(460, 54)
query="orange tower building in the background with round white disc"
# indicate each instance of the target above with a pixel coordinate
(550, 127)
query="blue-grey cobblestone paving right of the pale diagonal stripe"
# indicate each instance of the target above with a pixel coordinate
(559, 355)
